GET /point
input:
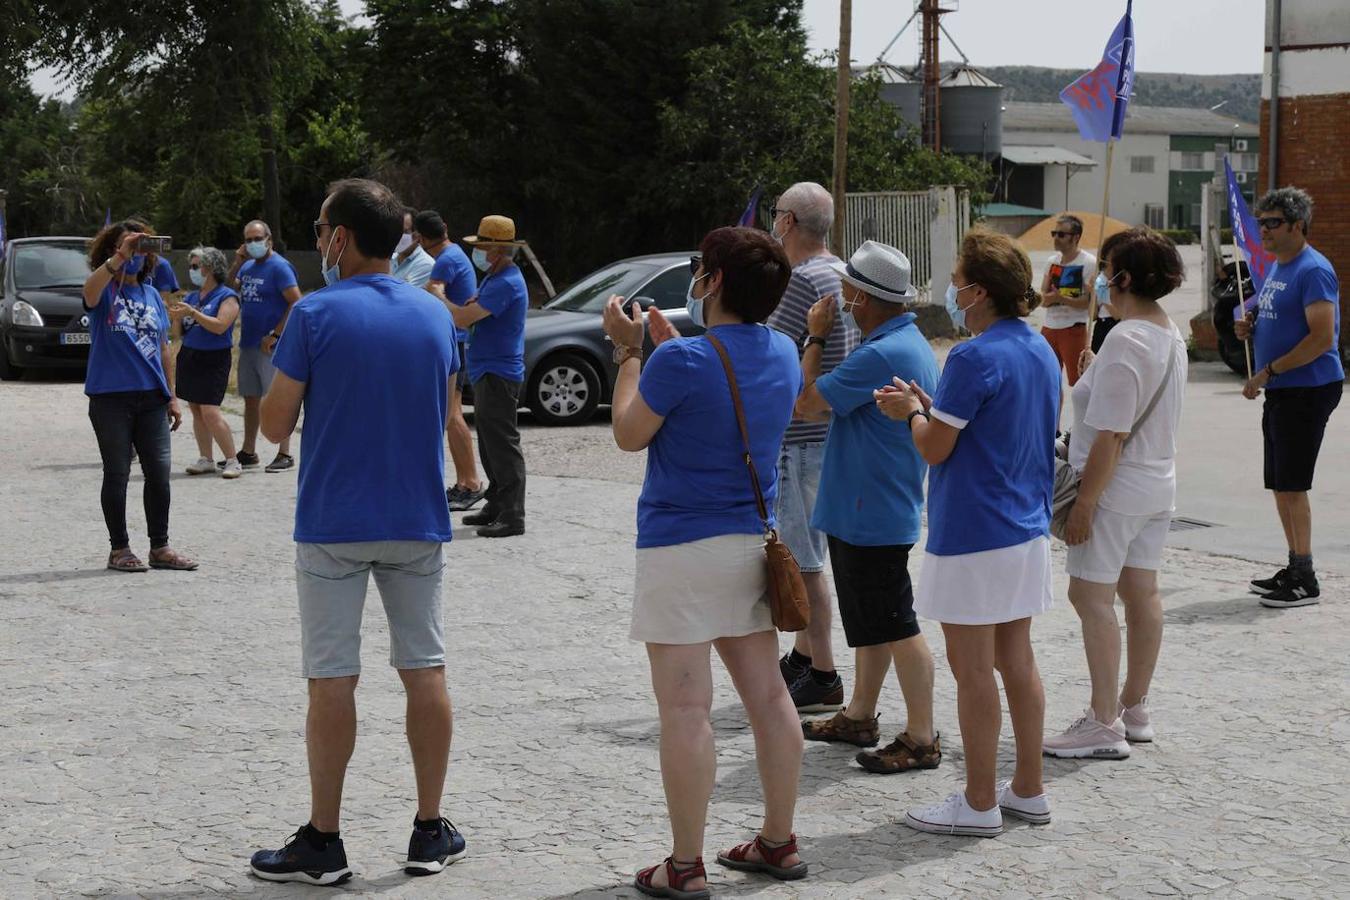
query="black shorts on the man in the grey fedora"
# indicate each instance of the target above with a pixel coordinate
(875, 593)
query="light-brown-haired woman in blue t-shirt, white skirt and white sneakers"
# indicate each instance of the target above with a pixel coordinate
(989, 435)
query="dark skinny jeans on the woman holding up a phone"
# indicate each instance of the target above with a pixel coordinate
(121, 422)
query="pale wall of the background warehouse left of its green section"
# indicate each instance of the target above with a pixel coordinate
(1131, 192)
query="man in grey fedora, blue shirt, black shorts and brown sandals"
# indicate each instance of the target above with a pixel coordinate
(870, 504)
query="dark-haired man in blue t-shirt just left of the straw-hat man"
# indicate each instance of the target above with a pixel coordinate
(454, 284)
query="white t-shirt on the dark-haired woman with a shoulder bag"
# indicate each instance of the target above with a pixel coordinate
(1110, 397)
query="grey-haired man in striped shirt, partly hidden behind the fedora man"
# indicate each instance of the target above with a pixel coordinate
(803, 222)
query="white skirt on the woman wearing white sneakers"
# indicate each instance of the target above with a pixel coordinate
(989, 588)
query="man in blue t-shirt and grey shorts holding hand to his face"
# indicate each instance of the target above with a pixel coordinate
(268, 289)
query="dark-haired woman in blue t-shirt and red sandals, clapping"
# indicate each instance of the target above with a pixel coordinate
(701, 570)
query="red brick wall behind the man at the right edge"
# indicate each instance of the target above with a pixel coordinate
(1316, 156)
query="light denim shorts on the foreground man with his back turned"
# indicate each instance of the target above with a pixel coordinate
(333, 580)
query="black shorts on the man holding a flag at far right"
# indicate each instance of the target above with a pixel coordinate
(1293, 423)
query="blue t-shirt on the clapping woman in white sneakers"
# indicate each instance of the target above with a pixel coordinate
(1002, 391)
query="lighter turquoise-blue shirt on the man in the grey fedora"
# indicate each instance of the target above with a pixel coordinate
(871, 490)
